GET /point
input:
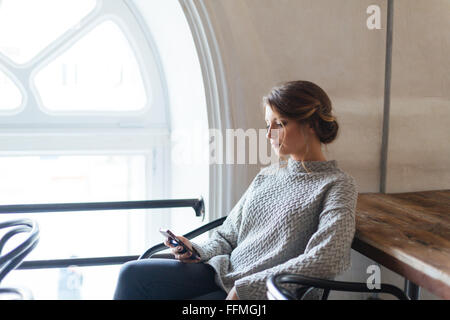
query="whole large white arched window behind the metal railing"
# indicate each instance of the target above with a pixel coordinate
(92, 93)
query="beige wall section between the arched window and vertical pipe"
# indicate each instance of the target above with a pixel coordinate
(264, 42)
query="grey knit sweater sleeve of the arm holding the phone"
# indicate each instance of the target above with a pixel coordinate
(224, 238)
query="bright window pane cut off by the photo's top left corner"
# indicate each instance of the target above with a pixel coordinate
(28, 26)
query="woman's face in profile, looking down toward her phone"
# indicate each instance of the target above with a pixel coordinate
(285, 135)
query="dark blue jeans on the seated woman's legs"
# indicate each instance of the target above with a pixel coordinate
(167, 279)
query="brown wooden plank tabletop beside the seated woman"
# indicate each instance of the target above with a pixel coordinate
(408, 233)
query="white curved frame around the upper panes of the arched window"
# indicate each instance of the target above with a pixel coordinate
(33, 114)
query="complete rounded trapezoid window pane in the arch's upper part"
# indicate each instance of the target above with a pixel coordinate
(99, 73)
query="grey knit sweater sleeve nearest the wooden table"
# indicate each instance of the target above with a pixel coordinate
(327, 253)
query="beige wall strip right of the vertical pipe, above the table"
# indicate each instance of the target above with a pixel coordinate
(419, 140)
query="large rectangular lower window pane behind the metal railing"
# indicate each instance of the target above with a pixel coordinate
(60, 179)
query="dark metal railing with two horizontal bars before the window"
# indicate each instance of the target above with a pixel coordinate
(197, 204)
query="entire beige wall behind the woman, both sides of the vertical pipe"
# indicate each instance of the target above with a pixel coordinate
(264, 42)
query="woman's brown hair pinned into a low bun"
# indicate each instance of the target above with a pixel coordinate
(306, 103)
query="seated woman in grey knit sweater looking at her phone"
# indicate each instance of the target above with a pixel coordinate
(298, 218)
